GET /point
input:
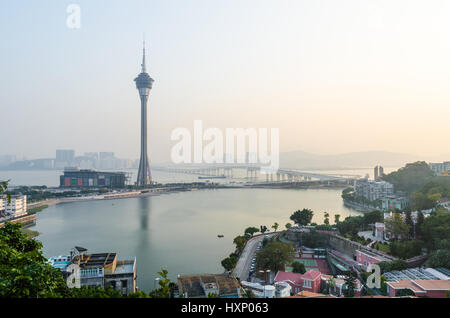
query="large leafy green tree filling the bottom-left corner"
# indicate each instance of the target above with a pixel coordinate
(24, 271)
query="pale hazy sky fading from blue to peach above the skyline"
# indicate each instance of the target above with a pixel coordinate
(334, 76)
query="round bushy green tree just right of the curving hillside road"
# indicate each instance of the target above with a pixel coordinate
(275, 255)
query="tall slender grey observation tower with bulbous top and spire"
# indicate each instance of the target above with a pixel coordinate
(144, 85)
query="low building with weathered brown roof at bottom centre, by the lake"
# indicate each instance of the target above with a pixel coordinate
(200, 286)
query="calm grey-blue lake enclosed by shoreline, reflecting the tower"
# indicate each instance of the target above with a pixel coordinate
(176, 231)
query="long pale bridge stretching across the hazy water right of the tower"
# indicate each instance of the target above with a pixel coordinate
(255, 172)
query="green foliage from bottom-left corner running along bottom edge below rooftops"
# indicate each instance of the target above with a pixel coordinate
(25, 273)
